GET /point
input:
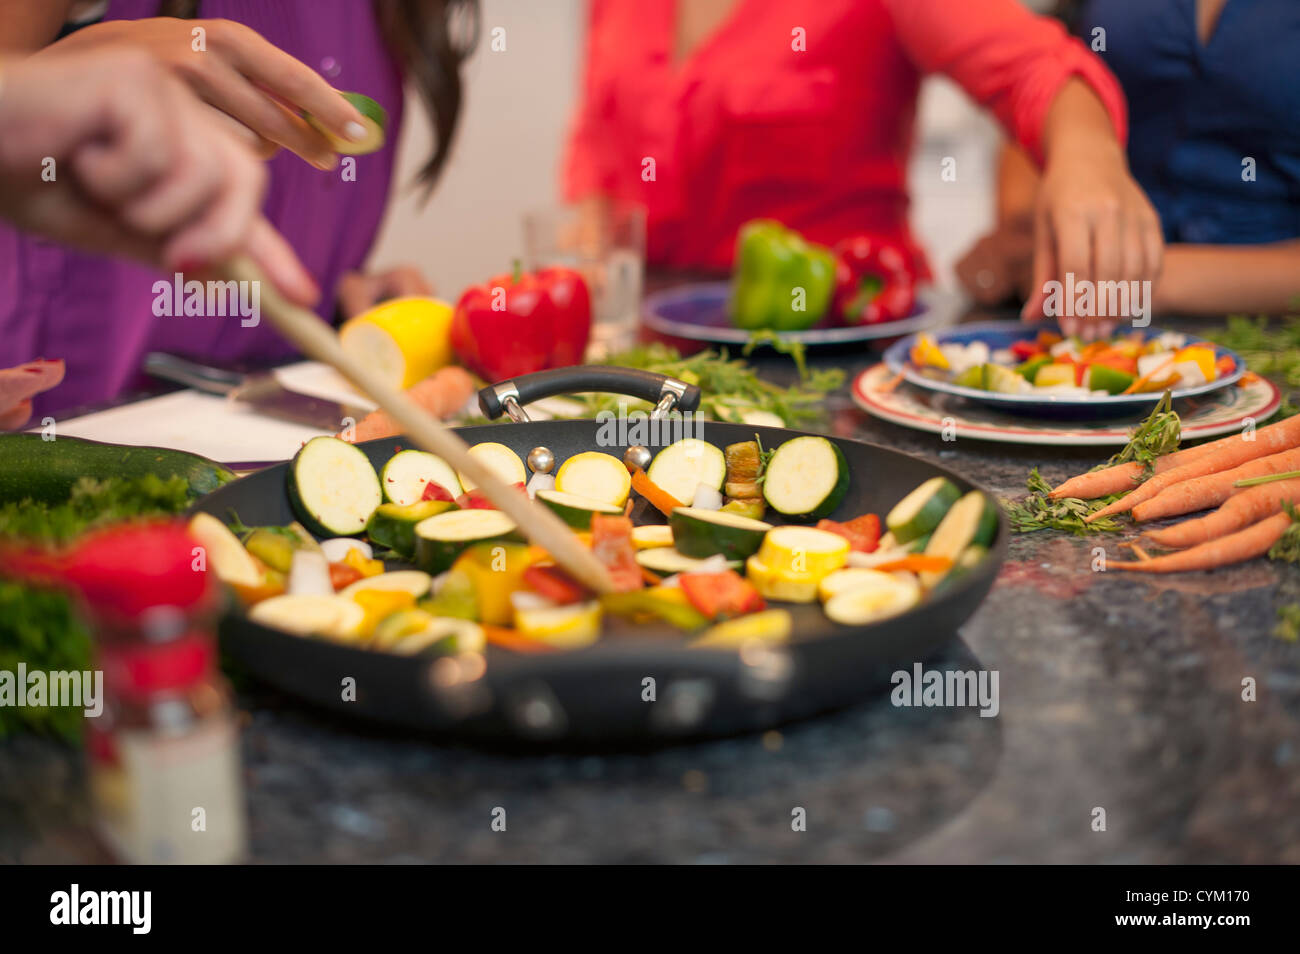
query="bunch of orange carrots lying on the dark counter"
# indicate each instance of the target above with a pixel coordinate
(1251, 480)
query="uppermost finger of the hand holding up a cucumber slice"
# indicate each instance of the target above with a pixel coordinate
(292, 81)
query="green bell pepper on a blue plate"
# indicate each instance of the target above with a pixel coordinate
(781, 281)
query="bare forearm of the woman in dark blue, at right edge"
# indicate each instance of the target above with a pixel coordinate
(1216, 280)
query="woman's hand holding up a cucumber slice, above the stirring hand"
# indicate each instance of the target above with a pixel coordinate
(239, 73)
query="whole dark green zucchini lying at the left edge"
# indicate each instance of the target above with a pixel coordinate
(32, 467)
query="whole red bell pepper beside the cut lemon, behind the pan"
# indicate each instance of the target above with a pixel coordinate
(517, 324)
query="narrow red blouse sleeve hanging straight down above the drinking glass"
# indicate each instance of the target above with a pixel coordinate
(590, 161)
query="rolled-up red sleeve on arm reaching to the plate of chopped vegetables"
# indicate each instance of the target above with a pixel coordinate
(1007, 58)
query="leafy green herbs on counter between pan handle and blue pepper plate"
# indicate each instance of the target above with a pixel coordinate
(733, 388)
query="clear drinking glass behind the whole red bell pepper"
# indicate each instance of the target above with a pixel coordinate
(606, 242)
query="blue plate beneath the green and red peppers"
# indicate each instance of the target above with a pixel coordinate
(697, 311)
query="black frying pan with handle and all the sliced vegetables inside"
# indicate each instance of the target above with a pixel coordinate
(762, 574)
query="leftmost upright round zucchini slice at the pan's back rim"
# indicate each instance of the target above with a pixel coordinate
(333, 488)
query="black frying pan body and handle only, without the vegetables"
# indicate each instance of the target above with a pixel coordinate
(600, 695)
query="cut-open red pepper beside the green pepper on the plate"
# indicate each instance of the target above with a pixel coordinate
(876, 281)
